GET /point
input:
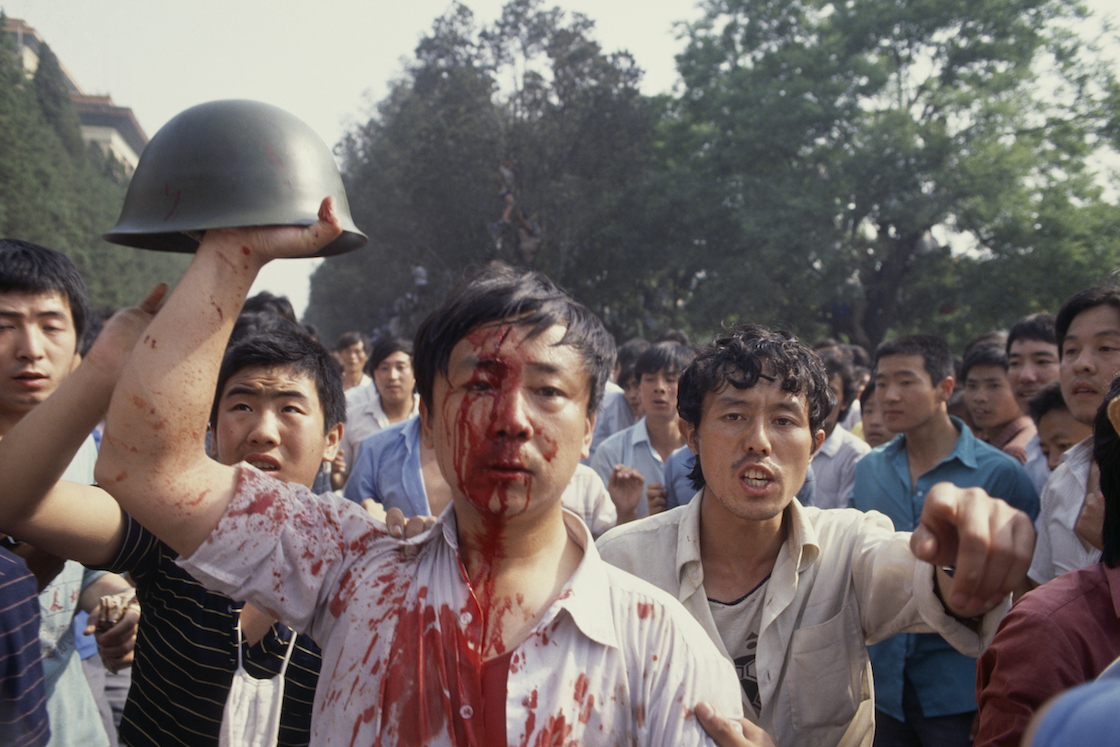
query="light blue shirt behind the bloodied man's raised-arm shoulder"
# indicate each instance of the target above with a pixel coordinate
(388, 470)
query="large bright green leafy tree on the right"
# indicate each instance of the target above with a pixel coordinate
(842, 138)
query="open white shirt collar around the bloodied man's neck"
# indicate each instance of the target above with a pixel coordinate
(586, 597)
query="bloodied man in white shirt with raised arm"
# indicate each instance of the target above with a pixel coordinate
(501, 625)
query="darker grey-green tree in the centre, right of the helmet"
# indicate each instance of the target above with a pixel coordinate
(421, 174)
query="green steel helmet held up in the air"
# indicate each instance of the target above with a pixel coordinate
(231, 164)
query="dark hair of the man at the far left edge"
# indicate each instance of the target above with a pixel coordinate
(27, 268)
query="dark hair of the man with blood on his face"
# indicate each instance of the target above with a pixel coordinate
(529, 300)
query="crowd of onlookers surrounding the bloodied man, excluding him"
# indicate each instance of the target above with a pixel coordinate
(841, 625)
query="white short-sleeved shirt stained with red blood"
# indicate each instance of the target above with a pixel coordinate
(613, 660)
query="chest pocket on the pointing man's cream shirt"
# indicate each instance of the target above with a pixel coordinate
(828, 664)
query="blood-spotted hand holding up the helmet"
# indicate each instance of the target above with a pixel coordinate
(266, 244)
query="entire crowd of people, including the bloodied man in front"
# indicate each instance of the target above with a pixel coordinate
(509, 530)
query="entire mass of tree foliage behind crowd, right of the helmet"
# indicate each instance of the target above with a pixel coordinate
(854, 170)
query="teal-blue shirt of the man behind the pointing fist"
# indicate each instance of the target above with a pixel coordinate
(944, 679)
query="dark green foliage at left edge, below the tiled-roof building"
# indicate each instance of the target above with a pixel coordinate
(62, 195)
